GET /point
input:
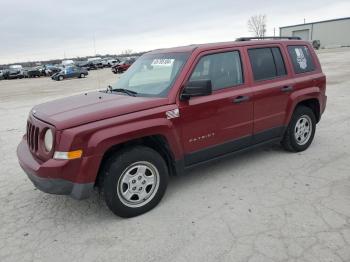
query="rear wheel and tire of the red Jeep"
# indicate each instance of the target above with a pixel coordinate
(300, 131)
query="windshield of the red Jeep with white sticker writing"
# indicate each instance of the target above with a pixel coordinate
(153, 74)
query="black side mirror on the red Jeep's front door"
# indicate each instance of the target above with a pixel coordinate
(196, 88)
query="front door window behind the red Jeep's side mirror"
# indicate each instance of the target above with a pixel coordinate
(223, 69)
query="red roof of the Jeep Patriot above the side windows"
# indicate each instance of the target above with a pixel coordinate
(219, 45)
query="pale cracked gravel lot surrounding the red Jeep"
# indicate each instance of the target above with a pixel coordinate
(265, 205)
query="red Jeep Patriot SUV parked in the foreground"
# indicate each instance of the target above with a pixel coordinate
(172, 110)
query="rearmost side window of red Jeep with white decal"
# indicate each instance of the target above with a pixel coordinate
(301, 59)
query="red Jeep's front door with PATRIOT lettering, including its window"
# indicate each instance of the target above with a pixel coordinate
(222, 122)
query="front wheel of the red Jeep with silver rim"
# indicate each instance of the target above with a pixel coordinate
(137, 167)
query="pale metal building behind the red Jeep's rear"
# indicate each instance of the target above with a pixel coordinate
(330, 33)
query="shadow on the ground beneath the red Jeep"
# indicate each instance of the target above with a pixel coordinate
(95, 209)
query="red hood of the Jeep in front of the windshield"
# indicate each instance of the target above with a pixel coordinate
(85, 108)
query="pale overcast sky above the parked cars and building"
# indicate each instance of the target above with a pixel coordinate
(36, 30)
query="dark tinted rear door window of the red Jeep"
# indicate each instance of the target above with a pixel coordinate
(267, 63)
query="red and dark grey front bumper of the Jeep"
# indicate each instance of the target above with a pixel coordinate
(38, 173)
